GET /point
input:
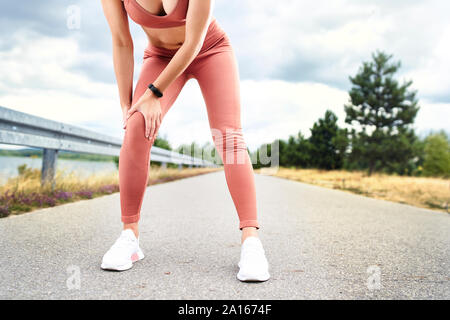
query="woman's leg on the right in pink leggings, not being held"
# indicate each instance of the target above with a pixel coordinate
(218, 77)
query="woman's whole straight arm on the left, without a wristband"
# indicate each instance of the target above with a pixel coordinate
(122, 45)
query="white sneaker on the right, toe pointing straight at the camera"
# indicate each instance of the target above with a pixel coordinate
(253, 265)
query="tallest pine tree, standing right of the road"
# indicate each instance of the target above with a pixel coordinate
(384, 109)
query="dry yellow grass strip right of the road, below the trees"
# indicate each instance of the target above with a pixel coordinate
(430, 193)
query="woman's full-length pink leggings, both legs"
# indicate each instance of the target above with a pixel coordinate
(216, 71)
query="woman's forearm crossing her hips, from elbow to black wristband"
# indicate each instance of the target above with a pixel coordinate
(179, 62)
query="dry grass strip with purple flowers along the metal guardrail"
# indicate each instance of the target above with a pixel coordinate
(24, 193)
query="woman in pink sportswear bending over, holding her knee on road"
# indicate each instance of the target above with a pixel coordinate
(185, 41)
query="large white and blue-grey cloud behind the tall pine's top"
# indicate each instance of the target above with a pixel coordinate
(326, 41)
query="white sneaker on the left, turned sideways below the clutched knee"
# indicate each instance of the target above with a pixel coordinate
(123, 252)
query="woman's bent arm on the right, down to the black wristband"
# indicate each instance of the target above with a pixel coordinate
(197, 18)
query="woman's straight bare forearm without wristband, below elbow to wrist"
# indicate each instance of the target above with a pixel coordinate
(123, 68)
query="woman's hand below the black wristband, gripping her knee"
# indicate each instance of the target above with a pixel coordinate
(150, 107)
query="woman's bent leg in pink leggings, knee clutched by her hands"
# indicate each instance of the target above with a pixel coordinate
(134, 159)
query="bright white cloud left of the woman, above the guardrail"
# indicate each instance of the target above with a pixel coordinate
(46, 63)
